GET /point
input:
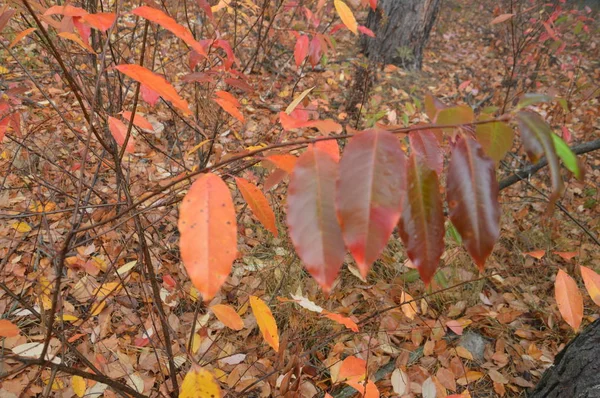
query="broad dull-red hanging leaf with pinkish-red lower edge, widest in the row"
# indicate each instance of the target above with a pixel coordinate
(370, 193)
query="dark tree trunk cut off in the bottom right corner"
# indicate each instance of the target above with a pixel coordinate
(576, 369)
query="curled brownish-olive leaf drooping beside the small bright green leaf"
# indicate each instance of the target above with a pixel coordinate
(537, 140)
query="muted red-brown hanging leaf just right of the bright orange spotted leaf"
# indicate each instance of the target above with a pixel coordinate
(311, 218)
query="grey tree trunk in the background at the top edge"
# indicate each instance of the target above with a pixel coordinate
(402, 28)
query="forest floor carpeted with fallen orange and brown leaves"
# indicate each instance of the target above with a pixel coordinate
(485, 334)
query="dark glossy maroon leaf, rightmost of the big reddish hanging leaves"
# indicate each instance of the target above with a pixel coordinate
(472, 194)
